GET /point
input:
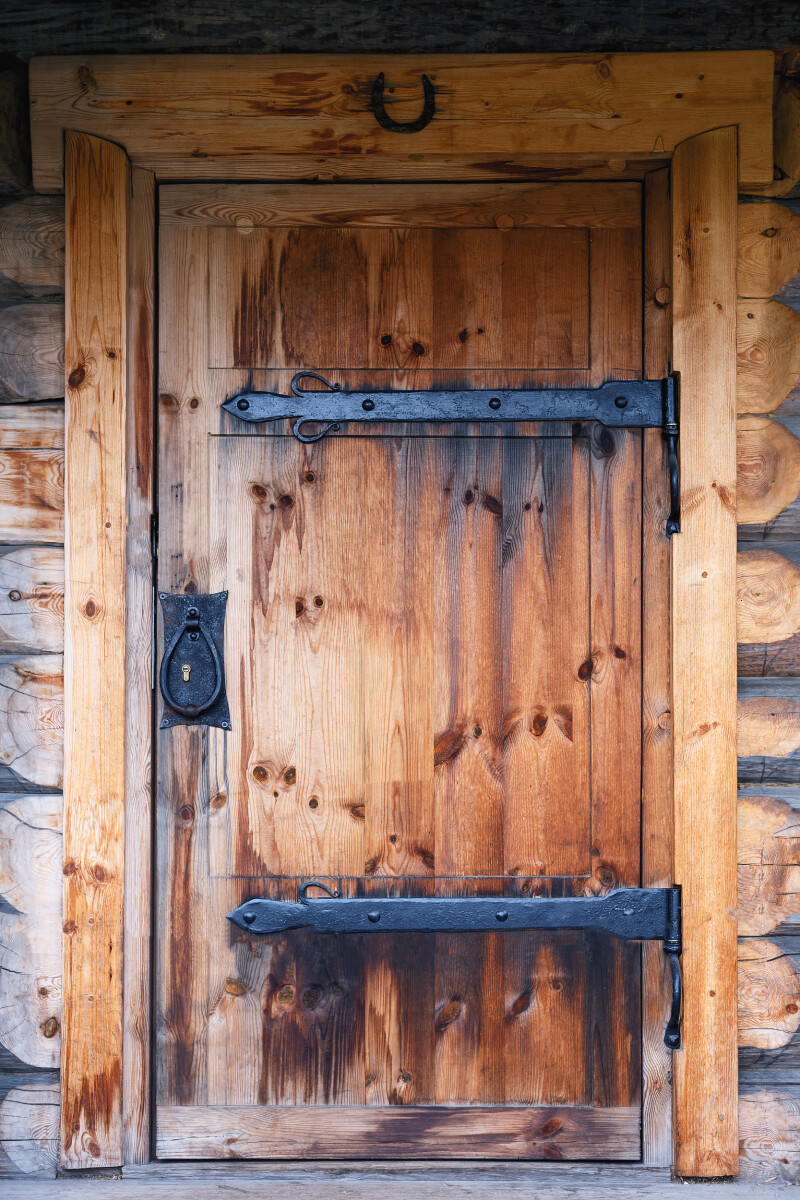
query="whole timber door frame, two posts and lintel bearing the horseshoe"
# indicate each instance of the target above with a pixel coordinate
(106, 130)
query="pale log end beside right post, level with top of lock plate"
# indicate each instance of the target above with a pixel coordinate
(768, 597)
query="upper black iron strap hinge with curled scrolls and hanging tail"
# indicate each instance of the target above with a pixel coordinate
(631, 404)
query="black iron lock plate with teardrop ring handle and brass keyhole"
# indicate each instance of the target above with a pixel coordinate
(193, 670)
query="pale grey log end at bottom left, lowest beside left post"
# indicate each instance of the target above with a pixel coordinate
(29, 1125)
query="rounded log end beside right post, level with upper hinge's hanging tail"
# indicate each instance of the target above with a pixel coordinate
(768, 470)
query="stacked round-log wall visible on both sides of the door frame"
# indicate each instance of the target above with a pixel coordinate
(32, 639)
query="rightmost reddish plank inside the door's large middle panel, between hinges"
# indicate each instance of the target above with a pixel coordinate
(545, 652)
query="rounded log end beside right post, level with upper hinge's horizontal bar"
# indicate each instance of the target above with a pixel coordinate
(768, 355)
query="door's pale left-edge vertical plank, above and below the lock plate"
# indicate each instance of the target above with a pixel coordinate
(185, 754)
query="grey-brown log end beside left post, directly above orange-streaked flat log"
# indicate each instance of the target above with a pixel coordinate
(32, 352)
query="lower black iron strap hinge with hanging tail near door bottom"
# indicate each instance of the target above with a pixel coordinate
(631, 914)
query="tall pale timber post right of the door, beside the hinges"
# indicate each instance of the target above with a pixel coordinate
(705, 649)
